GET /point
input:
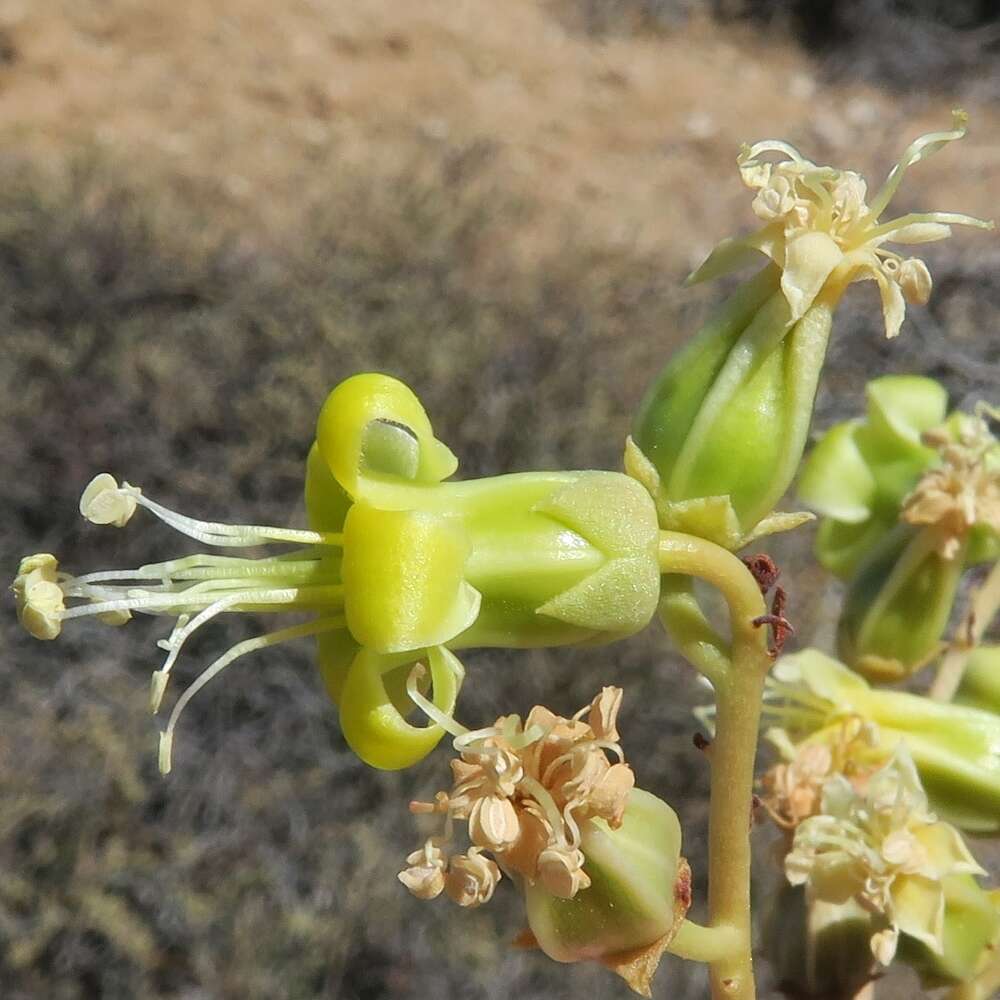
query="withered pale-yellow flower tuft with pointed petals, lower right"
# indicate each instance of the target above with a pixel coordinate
(885, 849)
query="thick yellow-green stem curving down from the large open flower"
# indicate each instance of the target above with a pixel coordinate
(739, 690)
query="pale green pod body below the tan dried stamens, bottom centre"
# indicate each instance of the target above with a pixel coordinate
(638, 894)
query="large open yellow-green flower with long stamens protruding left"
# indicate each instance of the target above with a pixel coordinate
(399, 565)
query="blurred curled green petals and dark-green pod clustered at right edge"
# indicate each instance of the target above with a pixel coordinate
(910, 498)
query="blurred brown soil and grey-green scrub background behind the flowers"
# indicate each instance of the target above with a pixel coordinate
(209, 215)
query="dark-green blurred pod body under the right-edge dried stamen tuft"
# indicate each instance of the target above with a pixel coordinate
(879, 634)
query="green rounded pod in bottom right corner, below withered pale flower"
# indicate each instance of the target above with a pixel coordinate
(970, 931)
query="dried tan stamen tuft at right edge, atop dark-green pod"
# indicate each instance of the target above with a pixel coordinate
(964, 490)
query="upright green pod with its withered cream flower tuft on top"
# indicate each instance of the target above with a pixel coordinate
(724, 425)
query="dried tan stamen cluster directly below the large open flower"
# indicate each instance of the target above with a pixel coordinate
(523, 791)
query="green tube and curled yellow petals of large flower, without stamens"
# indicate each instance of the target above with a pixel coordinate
(530, 559)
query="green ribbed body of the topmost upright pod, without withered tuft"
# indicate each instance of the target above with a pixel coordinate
(725, 423)
